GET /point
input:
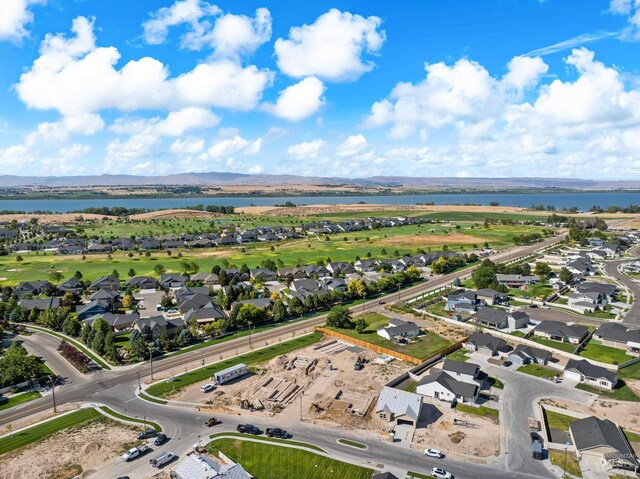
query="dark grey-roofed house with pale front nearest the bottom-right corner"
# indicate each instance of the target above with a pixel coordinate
(602, 442)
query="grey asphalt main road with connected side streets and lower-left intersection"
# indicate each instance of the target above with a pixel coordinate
(116, 389)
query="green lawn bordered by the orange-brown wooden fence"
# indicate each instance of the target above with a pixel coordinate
(427, 345)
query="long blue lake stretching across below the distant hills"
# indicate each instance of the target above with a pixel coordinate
(582, 201)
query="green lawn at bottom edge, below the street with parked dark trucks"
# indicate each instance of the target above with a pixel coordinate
(266, 461)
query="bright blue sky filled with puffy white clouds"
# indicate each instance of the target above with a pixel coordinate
(430, 88)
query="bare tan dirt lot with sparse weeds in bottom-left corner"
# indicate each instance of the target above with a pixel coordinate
(69, 453)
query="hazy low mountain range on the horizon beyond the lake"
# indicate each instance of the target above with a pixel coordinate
(220, 178)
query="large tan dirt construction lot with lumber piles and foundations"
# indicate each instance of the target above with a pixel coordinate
(341, 394)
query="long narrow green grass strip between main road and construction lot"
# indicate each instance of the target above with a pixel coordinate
(265, 354)
